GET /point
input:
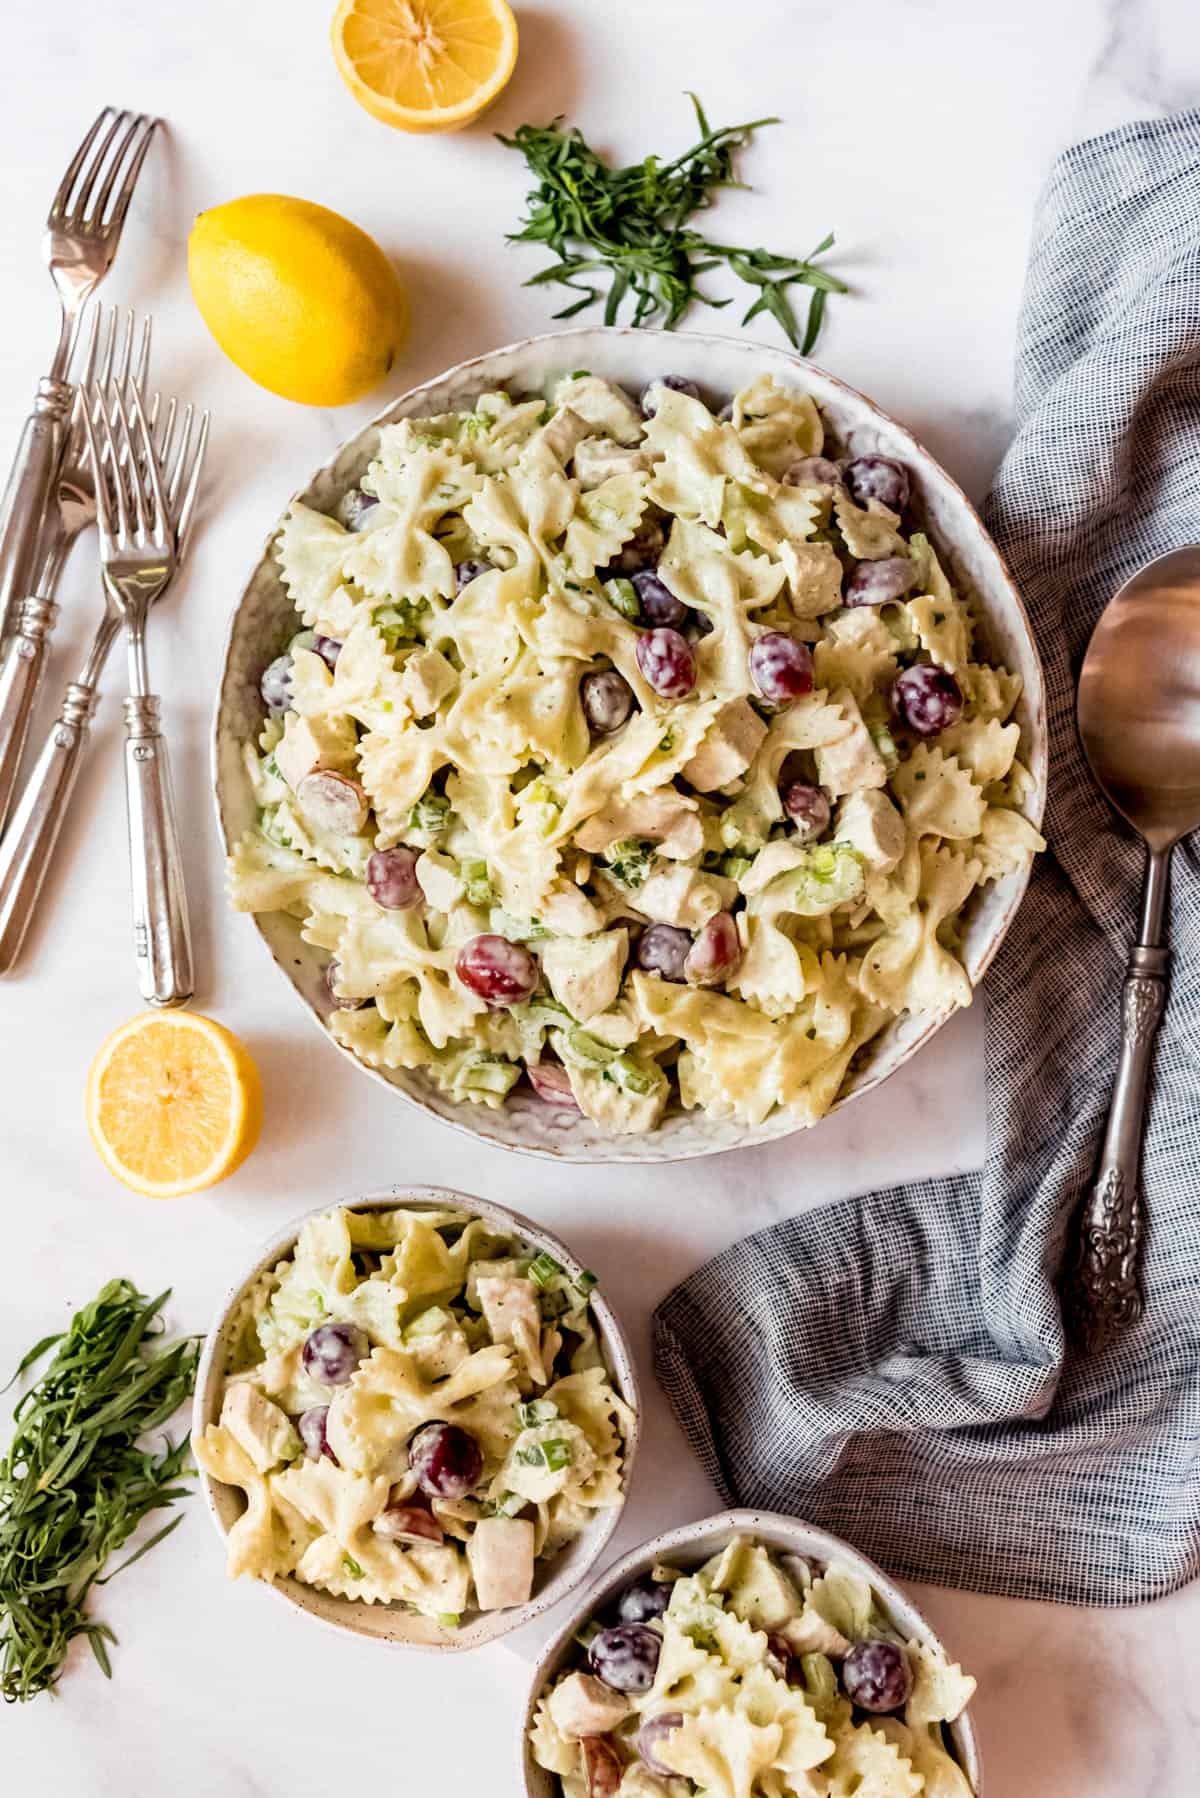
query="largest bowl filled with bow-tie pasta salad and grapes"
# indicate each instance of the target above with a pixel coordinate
(631, 747)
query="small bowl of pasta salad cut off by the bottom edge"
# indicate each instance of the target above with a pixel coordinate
(744, 1657)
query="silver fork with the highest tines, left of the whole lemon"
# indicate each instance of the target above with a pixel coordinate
(82, 236)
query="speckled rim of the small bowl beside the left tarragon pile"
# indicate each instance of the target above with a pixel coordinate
(483, 1626)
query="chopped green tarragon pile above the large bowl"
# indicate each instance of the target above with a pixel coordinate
(634, 226)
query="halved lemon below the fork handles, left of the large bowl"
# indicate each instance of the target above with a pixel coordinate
(175, 1103)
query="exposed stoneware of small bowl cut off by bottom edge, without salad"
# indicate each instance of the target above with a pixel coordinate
(690, 1547)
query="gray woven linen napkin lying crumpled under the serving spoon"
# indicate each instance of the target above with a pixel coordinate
(895, 1367)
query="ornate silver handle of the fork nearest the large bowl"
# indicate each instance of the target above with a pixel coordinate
(161, 929)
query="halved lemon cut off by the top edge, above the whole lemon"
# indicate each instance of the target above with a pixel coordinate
(425, 66)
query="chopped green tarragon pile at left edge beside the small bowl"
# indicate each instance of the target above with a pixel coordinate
(76, 1481)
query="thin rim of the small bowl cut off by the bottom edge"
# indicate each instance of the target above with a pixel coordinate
(676, 1544)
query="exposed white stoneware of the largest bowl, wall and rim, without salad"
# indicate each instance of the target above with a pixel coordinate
(264, 623)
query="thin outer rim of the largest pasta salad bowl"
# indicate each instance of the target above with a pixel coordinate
(404, 405)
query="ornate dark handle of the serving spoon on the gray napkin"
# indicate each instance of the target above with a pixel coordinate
(1104, 1295)
